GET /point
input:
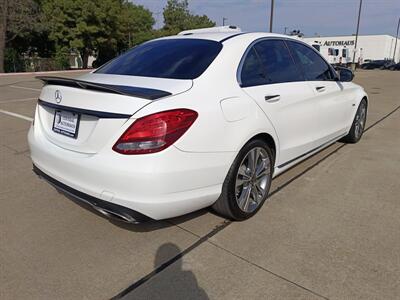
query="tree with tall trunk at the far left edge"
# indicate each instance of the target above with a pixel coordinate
(16, 16)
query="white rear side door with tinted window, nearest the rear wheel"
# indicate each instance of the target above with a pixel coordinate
(270, 76)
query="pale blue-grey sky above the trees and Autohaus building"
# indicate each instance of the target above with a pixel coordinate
(324, 17)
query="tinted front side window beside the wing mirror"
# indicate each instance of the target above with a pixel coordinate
(314, 67)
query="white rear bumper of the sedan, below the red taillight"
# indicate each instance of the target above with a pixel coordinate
(157, 186)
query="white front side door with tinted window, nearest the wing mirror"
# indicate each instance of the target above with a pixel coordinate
(331, 99)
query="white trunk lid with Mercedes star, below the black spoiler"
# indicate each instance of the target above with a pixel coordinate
(93, 132)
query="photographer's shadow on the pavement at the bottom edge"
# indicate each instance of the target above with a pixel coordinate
(168, 281)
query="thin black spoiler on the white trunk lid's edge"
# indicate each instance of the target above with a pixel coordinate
(145, 93)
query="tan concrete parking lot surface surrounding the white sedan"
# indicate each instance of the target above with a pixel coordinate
(331, 228)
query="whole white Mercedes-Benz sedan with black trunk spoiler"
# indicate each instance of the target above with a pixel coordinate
(180, 123)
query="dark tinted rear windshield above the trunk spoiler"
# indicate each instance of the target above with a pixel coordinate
(170, 58)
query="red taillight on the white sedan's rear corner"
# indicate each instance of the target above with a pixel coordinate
(155, 132)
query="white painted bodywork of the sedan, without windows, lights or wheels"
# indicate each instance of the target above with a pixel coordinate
(189, 174)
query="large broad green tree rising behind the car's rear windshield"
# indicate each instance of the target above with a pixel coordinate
(95, 27)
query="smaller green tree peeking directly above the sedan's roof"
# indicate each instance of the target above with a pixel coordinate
(177, 17)
